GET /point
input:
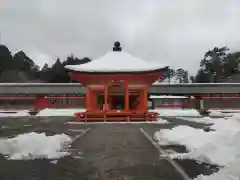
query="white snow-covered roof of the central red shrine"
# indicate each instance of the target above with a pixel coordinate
(117, 61)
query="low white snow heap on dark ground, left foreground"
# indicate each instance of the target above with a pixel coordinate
(33, 145)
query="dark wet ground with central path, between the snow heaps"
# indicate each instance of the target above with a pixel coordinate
(108, 151)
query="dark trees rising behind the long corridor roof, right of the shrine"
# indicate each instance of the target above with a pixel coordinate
(216, 65)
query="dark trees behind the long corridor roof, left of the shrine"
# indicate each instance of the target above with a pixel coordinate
(20, 62)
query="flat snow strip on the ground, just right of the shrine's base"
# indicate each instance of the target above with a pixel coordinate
(176, 112)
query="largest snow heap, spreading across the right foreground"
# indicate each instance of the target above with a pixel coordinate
(221, 146)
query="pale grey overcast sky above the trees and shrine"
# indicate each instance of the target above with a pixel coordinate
(176, 32)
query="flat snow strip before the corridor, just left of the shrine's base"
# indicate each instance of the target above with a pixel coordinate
(59, 112)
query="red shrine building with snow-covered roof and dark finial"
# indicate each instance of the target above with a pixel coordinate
(117, 86)
